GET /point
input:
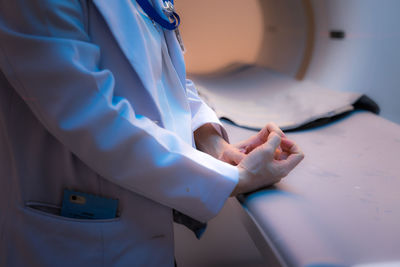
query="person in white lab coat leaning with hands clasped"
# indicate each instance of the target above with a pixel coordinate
(93, 97)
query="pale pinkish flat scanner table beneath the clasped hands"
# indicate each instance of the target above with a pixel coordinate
(340, 206)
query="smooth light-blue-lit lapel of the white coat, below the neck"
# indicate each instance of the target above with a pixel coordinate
(122, 18)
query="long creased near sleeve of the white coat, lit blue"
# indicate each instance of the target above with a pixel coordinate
(46, 54)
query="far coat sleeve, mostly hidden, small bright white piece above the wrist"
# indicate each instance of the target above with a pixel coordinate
(201, 112)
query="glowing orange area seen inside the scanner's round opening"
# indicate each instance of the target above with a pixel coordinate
(218, 33)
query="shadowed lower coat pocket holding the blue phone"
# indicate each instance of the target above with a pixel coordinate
(54, 240)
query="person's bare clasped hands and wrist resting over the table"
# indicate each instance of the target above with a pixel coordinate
(262, 160)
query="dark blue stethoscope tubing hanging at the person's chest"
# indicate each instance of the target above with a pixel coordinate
(153, 14)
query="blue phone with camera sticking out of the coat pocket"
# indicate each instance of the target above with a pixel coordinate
(86, 206)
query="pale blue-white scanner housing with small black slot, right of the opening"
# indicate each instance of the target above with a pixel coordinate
(368, 59)
